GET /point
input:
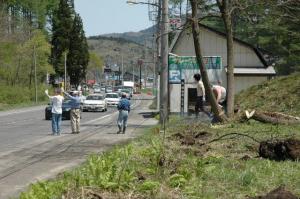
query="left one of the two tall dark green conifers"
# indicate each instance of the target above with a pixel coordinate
(61, 32)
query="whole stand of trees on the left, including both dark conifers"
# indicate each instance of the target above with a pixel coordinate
(35, 39)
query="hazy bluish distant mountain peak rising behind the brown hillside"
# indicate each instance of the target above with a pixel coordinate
(144, 37)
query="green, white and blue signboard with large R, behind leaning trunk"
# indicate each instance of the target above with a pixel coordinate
(183, 67)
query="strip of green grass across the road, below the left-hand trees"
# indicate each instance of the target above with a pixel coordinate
(17, 97)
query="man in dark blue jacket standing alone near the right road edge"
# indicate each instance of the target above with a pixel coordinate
(124, 109)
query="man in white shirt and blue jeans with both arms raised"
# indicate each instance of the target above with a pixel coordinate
(56, 110)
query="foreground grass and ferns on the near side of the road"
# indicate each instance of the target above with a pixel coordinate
(154, 167)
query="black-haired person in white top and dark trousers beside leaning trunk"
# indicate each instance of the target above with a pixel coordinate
(200, 95)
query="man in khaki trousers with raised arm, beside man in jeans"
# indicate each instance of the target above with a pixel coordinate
(75, 111)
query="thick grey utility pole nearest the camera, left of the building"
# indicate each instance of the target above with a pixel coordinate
(164, 95)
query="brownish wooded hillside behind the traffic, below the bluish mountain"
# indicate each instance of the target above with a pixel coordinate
(106, 47)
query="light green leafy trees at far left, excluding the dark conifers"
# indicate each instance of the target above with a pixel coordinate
(23, 27)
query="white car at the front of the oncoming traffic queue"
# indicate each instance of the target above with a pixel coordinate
(94, 102)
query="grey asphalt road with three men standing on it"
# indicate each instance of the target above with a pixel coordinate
(28, 151)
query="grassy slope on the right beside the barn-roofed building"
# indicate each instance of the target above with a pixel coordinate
(279, 95)
